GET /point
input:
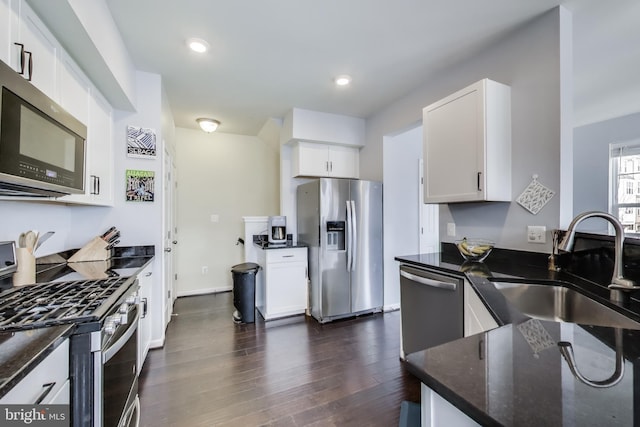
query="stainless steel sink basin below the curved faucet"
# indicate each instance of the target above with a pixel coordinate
(559, 303)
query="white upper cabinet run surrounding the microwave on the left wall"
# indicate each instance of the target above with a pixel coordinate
(55, 73)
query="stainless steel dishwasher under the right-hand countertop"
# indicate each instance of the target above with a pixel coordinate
(431, 308)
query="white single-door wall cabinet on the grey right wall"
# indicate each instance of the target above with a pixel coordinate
(467, 145)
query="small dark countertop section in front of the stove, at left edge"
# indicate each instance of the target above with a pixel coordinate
(21, 351)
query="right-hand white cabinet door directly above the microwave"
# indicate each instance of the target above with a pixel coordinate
(41, 47)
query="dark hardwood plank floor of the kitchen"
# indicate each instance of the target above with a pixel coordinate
(285, 372)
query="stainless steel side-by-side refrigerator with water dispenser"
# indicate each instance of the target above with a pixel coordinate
(340, 220)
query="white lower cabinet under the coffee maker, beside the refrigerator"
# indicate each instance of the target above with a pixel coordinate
(281, 285)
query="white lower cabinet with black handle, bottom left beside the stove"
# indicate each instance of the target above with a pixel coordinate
(47, 383)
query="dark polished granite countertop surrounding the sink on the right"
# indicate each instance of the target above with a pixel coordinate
(515, 375)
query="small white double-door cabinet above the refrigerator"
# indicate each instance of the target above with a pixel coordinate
(325, 160)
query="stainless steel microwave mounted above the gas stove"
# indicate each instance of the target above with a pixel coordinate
(42, 146)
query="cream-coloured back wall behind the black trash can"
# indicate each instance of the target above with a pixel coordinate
(227, 175)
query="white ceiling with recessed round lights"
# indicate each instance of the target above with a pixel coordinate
(267, 57)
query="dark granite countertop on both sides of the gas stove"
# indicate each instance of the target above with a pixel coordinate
(21, 351)
